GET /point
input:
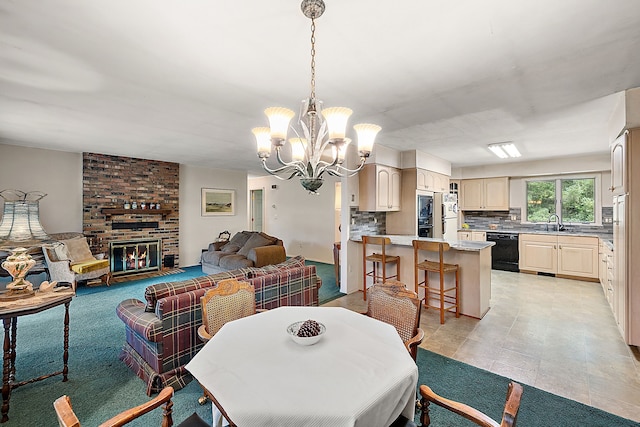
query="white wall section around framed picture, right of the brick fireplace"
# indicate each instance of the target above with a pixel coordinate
(197, 231)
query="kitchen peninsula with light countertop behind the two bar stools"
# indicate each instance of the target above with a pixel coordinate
(473, 257)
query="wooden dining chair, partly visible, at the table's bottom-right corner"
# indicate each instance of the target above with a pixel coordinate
(509, 414)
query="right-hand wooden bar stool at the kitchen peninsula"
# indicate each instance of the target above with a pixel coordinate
(448, 298)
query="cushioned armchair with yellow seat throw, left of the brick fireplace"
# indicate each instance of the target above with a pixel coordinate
(71, 261)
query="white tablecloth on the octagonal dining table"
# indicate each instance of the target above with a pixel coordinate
(358, 374)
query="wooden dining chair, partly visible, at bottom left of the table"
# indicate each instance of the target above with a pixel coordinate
(67, 418)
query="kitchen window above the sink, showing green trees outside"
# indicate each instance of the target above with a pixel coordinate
(573, 200)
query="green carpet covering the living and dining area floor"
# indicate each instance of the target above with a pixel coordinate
(100, 385)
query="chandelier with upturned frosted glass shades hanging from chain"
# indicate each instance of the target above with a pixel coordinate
(320, 143)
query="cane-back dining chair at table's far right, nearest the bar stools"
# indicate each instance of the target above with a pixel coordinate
(393, 303)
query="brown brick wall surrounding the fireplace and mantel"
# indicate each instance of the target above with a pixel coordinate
(110, 181)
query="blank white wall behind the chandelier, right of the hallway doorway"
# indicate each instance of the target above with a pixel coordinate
(304, 222)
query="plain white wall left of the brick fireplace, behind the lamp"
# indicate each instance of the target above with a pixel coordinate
(56, 173)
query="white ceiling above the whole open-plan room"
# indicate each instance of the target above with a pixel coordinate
(185, 81)
